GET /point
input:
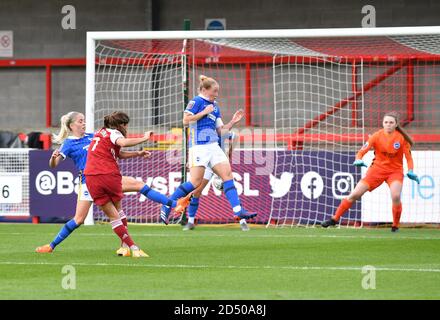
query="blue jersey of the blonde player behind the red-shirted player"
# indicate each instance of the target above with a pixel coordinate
(76, 149)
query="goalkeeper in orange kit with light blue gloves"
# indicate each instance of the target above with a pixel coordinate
(389, 144)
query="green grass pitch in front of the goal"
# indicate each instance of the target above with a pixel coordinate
(222, 263)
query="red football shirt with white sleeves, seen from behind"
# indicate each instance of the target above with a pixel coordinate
(103, 153)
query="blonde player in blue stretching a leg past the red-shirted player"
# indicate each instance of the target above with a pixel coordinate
(75, 142)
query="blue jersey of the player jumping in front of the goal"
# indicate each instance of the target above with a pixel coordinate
(204, 130)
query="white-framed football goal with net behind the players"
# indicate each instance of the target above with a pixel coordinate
(311, 98)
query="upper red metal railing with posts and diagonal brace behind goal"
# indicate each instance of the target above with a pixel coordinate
(405, 63)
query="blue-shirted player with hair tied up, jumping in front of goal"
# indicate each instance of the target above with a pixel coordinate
(205, 124)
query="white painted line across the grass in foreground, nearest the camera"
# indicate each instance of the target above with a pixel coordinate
(184, 266)
